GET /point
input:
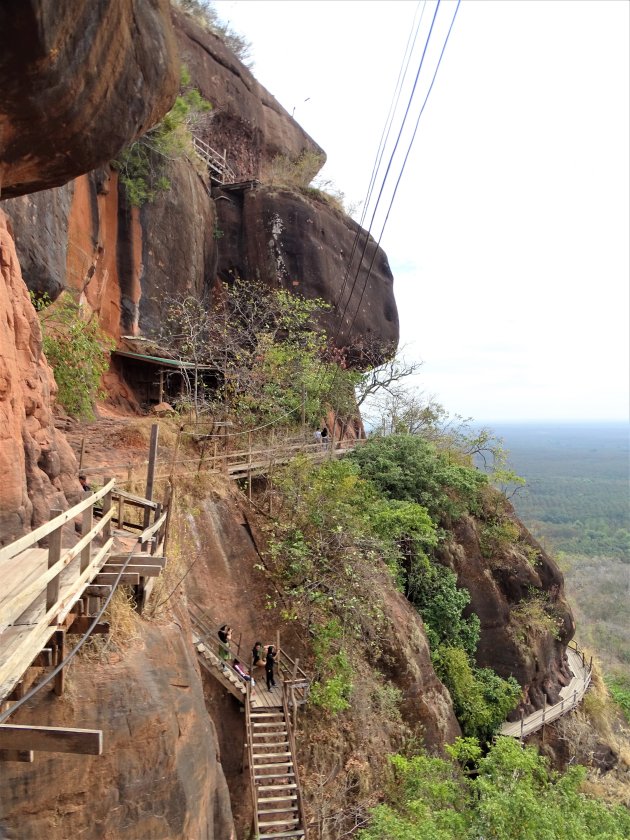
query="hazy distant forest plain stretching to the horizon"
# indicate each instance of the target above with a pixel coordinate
(577, 503)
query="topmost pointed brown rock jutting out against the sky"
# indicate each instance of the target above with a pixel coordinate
(248, 122)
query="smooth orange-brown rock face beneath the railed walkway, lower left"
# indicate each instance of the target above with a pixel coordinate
(160, 774)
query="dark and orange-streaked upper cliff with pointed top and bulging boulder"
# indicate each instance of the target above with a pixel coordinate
(126, 261)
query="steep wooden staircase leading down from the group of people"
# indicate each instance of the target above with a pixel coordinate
(278, 810)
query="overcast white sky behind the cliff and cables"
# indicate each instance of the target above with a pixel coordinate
(508, 238)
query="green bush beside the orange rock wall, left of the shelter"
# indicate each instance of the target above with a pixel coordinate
(77, 350)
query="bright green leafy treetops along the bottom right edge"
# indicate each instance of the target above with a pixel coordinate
(510, 794)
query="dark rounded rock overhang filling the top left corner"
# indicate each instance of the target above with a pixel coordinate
(80, 80)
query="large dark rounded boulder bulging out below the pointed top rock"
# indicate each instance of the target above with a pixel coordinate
(289, 240)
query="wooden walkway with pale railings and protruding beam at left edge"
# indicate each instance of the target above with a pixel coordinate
(54, 591)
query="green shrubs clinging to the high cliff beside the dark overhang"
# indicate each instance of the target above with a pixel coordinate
(142, 166)
